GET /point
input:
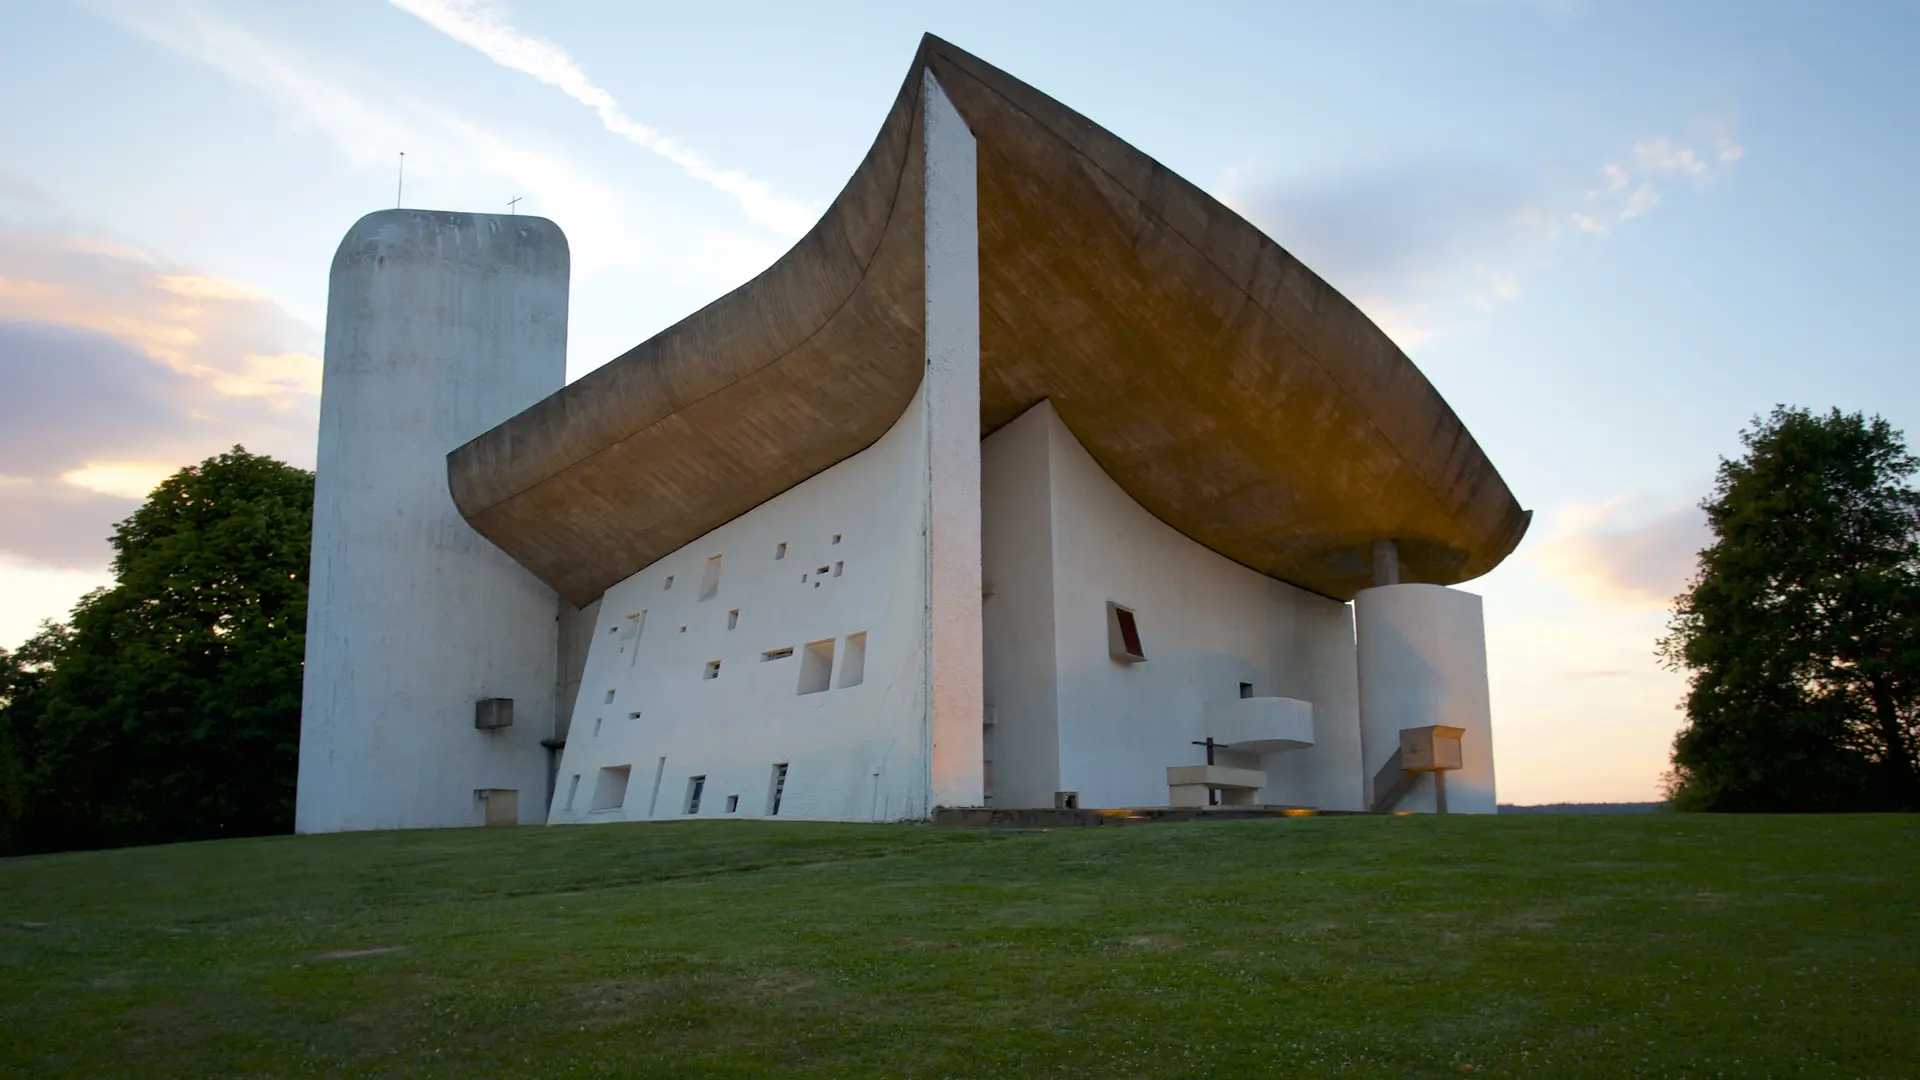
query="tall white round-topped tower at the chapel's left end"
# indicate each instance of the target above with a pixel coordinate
(439, 328)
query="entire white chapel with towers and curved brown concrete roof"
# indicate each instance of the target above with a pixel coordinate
(1032, 478)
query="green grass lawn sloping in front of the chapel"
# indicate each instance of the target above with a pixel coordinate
(1408, 946)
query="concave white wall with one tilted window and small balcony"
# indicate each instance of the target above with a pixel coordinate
(1207, 627)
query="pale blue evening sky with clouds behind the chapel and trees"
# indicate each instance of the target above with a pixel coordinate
(1608, 233)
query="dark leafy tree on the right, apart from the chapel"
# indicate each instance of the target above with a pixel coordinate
(1802, 627)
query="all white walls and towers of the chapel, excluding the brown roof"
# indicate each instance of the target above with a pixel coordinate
(930, 624)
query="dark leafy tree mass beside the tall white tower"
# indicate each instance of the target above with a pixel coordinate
(170, 706)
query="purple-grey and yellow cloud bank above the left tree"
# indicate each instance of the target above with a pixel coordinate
(118, 368)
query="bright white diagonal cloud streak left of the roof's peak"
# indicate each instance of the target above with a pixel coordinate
(485, 28)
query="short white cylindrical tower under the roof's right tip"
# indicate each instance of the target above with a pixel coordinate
(1424, 662)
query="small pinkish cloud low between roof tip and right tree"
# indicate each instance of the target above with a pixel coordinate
(1627, 554)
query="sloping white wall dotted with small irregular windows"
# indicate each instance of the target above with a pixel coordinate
(734, 729)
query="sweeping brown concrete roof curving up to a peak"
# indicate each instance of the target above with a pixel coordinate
(1222, 383)
